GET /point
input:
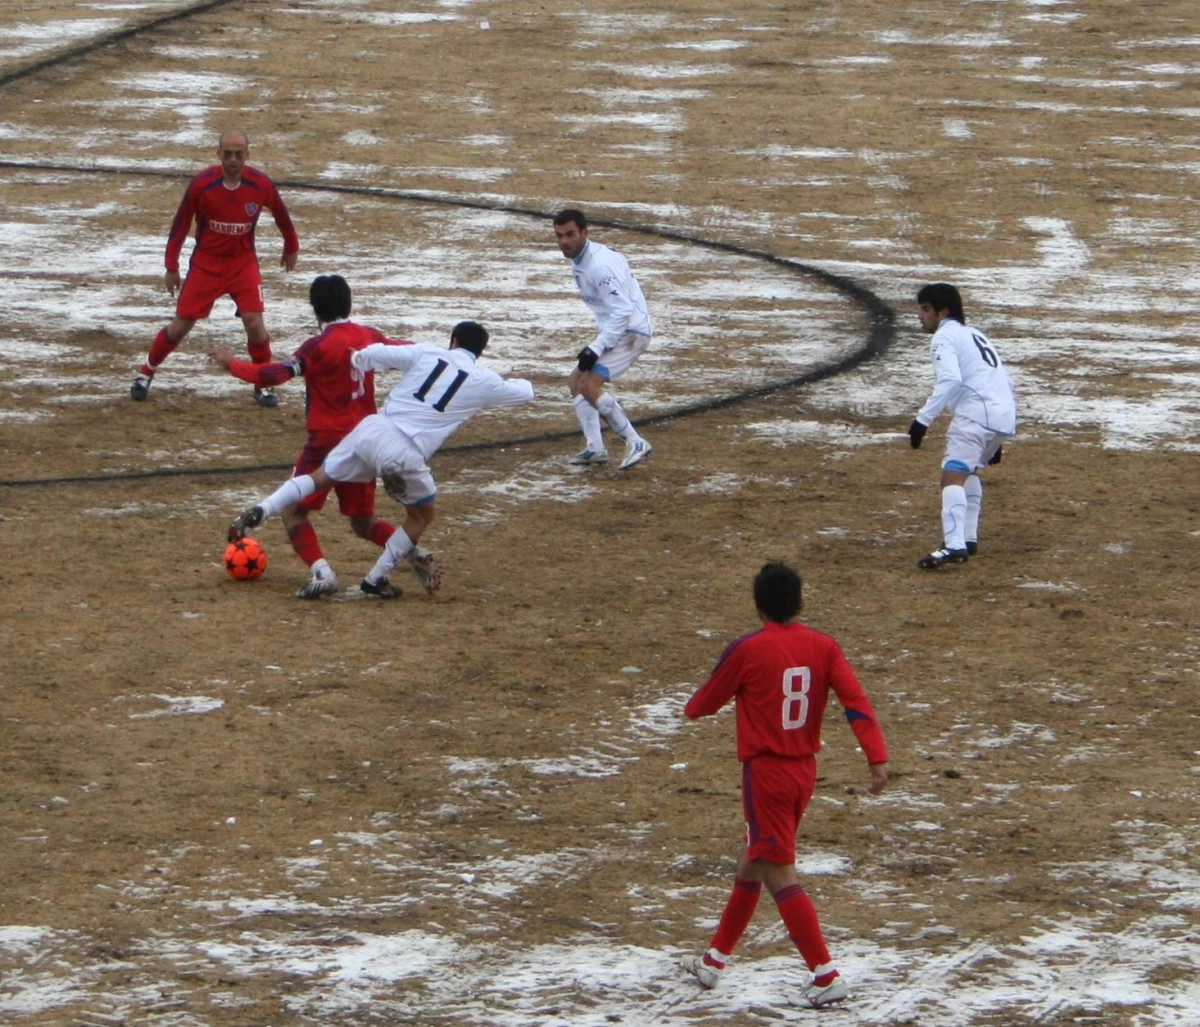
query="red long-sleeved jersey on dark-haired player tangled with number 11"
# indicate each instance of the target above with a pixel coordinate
(337, 397)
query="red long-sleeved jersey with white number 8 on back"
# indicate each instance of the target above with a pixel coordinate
(782, 677)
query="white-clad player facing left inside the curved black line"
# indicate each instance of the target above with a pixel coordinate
(623, 334)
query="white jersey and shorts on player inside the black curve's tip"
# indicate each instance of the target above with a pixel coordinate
(623, 322)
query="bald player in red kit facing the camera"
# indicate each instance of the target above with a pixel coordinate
(225, 201)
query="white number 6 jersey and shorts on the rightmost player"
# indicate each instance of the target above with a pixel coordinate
(971, 380)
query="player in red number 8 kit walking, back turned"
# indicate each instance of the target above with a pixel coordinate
(781, 677)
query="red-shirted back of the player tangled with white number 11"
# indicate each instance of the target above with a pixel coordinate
(337, 395)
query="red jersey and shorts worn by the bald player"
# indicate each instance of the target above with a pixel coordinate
(225, 262)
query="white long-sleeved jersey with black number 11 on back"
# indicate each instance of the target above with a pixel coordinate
(442, 389)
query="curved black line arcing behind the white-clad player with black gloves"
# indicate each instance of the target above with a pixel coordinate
(879, 339)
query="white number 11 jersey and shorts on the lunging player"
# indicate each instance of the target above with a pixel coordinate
(440, 392)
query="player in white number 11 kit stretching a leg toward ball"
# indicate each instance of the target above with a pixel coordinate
(440, 392)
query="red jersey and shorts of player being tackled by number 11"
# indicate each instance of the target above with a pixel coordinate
(337, 399)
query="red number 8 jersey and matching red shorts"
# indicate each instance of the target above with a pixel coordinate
(782, 676)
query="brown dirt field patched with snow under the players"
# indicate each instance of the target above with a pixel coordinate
(227, 807)
